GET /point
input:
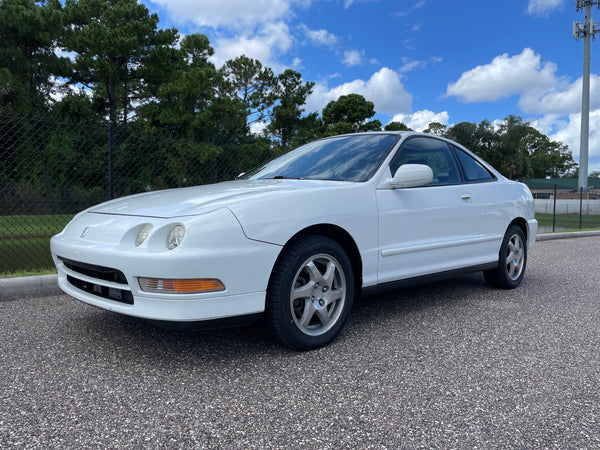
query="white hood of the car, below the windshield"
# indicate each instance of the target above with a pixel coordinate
(203, 199)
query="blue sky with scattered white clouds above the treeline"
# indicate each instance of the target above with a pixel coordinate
(417, 61)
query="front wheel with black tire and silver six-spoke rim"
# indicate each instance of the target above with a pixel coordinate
(310, 293)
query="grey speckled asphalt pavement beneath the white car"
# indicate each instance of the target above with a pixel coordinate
(450, 364)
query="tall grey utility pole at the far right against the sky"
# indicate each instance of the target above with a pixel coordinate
(586, 30)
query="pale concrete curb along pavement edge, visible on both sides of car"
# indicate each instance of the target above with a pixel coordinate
(47, 285)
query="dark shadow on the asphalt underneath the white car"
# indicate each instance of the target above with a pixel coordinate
(131, 338)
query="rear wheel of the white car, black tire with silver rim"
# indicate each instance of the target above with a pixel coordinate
(511, 262)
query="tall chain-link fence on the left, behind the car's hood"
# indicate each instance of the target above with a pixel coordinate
(51, 170)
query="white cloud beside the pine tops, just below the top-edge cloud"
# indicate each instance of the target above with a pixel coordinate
(272, 40)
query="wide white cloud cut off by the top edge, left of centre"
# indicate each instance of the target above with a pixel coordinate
(231, 13)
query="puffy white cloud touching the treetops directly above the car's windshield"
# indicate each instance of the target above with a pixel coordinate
(384, 89)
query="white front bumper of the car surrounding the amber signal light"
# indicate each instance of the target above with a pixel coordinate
(104, 272)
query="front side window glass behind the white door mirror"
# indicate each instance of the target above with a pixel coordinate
(433, 153)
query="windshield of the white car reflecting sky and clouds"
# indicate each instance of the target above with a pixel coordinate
(343, 158)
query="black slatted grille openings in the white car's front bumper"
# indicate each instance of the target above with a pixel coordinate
(98, 288)
